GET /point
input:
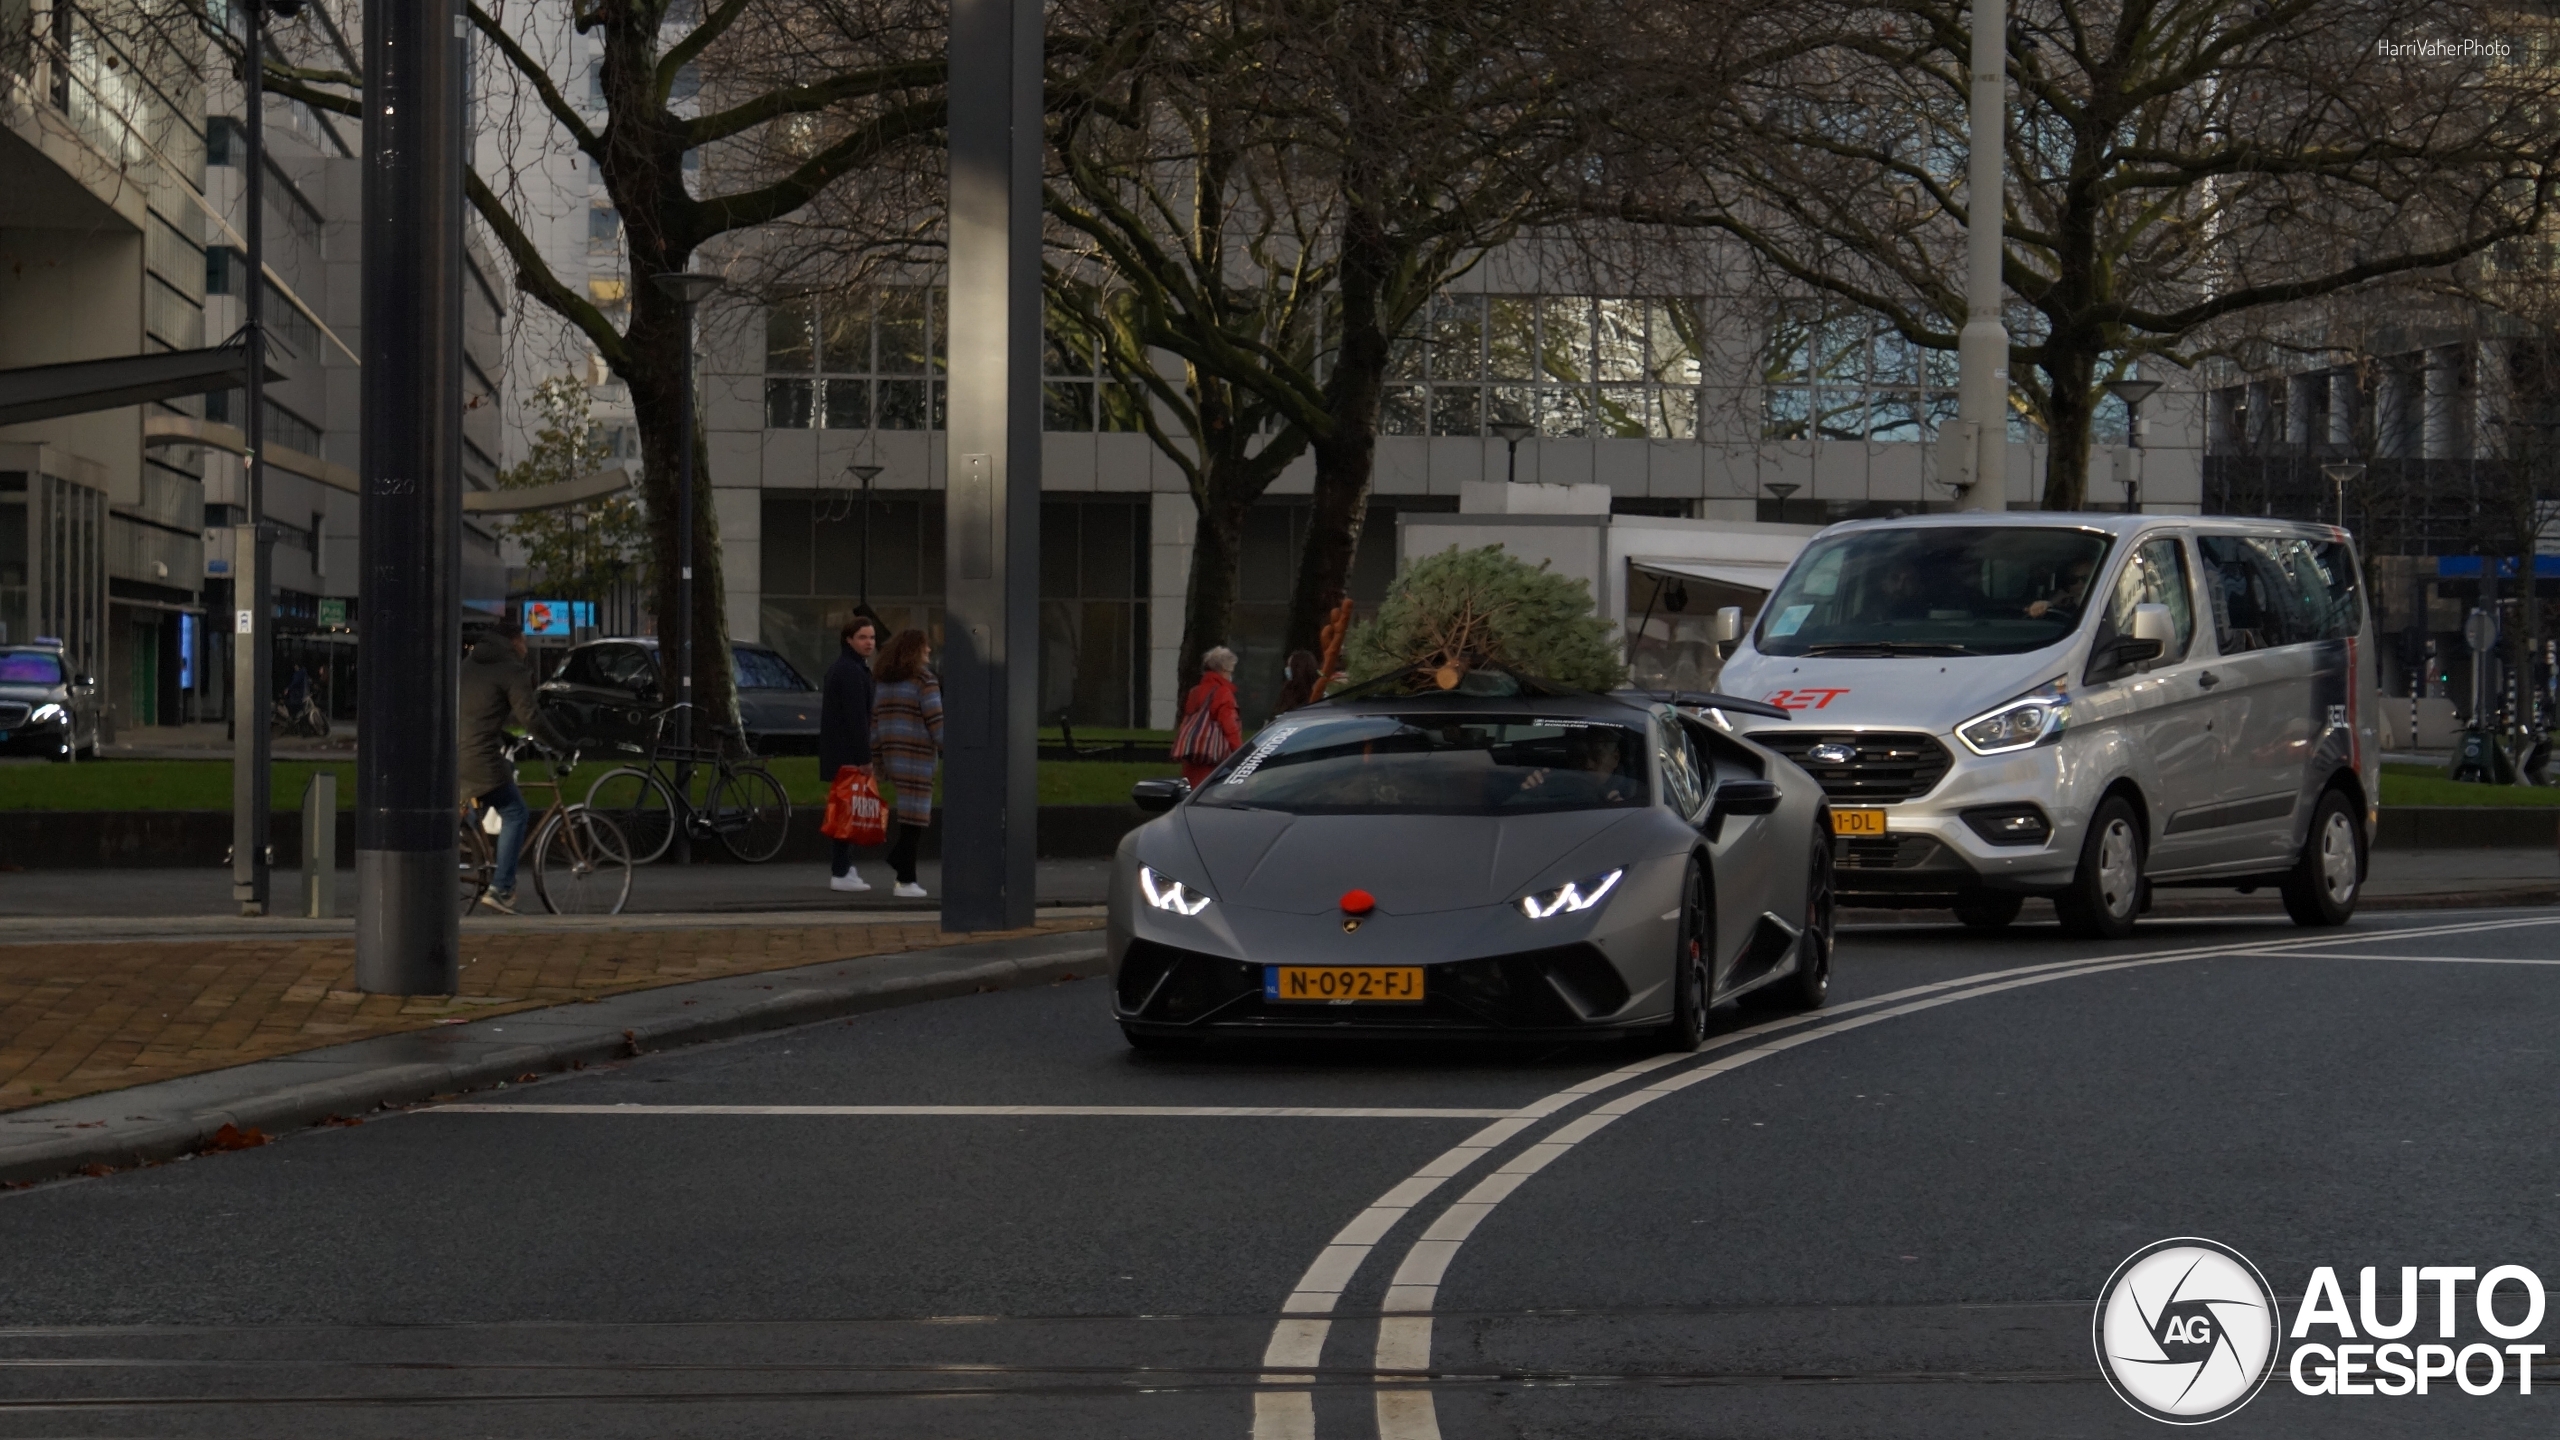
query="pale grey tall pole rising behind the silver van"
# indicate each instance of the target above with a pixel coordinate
(1983, 350)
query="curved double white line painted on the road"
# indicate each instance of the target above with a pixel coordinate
(1284, 1411)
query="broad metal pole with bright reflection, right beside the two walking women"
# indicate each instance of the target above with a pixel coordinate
(992, 534)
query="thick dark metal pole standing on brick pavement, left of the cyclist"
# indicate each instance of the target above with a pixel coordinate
(408, 934)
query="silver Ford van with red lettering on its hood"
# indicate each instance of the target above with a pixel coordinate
(2077, 706)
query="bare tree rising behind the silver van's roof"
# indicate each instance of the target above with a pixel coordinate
(2175, 165)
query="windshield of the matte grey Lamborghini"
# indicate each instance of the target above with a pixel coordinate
(1435, 765)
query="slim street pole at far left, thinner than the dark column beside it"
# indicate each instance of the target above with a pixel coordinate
(255, 621)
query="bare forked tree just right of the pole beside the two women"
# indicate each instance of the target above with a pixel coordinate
(1184, 232)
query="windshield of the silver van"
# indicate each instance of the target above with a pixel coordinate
(1993, 591)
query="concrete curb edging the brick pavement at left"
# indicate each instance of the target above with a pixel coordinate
(178, 1118)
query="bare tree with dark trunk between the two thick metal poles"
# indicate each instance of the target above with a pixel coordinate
(718, 119)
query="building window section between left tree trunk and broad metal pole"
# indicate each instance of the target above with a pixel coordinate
(869, 360)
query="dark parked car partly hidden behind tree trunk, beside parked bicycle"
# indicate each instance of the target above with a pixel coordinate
(608, 693)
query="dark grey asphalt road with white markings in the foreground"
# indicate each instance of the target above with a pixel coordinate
(1891, 1221)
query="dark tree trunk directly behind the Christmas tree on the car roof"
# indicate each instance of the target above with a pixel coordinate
(1348, 457)
